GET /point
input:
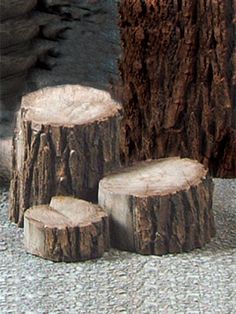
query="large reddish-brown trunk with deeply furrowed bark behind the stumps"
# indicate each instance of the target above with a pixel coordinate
(178, 70)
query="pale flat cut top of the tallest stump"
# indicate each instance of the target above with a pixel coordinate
(69, 105)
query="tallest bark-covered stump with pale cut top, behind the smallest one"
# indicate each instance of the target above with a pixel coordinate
(68, 139)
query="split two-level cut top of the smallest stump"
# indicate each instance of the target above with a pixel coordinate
(65, 211)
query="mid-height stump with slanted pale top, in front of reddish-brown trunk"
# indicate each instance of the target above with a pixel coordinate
(159, 206)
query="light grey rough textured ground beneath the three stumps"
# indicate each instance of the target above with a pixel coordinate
(203, 281)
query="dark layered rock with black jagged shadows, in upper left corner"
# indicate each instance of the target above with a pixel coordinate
(29, 31)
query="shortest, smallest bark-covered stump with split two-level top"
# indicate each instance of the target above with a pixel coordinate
(68, 230)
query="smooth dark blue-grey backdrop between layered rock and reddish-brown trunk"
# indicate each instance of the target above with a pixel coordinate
(88, 51)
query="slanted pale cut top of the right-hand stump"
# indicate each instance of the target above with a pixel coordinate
(155, 177)
